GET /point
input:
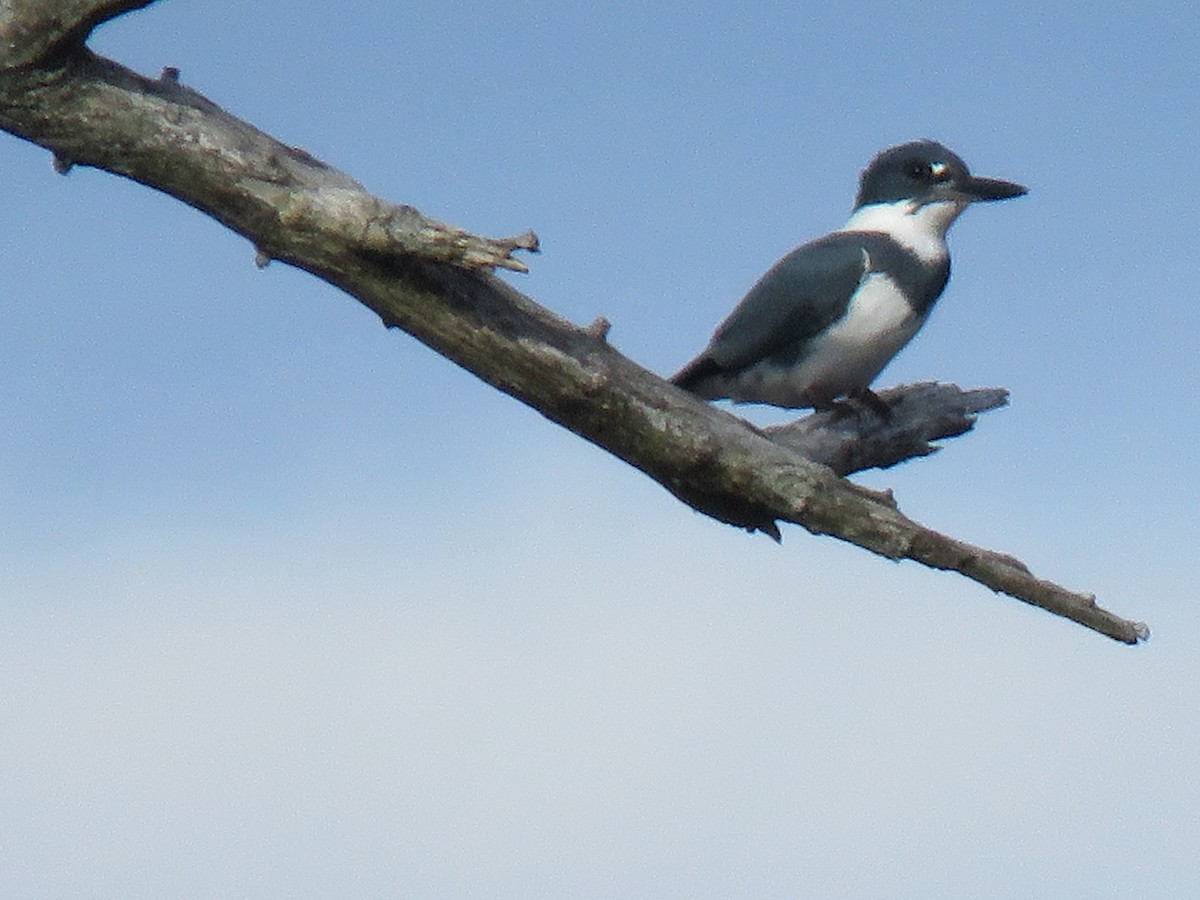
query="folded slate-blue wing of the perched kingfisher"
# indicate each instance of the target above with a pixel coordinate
(801, 296)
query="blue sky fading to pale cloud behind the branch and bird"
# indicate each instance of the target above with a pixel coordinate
(295, 608)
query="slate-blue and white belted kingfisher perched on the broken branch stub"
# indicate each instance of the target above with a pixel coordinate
(826, 320)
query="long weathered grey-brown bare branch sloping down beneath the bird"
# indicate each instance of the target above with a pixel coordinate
(433, 280)
